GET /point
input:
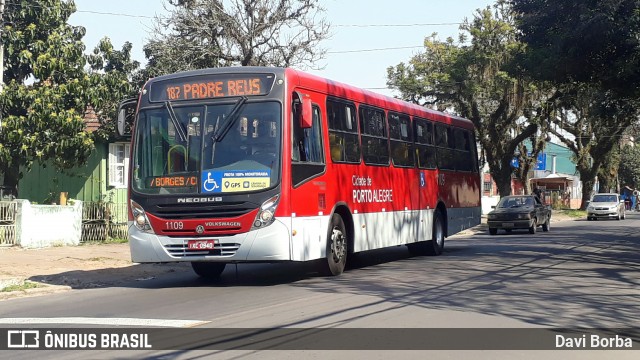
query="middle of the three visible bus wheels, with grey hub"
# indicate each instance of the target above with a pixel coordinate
(337, 242)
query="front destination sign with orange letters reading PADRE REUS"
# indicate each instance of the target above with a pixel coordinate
(211, 86)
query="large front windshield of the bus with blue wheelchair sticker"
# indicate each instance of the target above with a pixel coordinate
(180, 150)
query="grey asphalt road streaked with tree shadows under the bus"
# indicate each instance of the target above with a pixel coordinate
(579, 275)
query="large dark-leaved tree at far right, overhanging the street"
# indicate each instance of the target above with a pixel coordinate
(590, 50)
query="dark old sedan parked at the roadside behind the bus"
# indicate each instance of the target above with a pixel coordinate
(519, 212)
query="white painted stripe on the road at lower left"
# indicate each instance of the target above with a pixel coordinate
(103, 321)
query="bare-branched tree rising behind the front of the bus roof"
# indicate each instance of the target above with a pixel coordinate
(213, 33)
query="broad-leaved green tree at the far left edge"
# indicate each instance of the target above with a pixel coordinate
(45, 93)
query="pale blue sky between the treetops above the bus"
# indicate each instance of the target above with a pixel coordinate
(368, 36)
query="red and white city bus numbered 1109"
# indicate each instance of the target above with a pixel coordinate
(257, 164)
